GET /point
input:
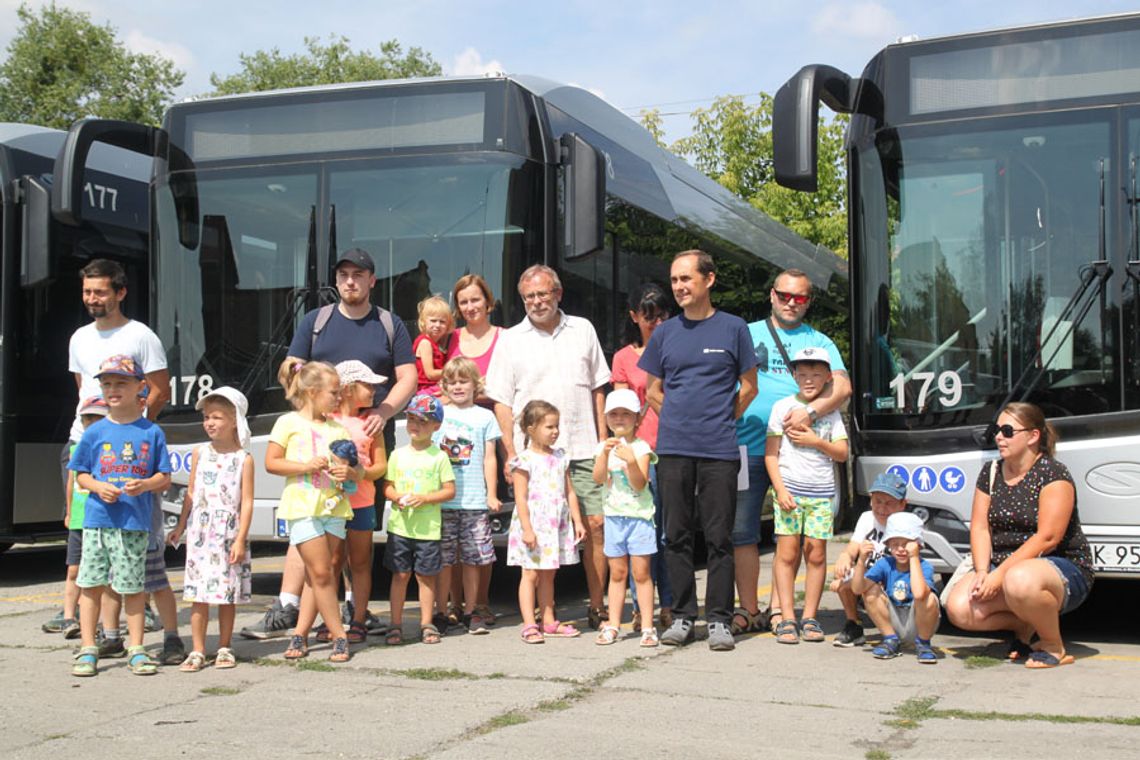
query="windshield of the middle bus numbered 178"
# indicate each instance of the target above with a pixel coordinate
(231, 306)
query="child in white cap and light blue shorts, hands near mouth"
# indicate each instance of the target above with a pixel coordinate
(622, 465)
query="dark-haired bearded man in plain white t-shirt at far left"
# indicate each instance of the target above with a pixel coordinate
(110, 334)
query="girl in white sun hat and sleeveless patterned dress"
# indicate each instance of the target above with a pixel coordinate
(218, 511)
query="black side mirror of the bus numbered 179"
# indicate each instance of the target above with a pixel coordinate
(796, 122)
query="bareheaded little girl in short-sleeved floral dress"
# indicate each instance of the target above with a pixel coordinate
(548, 522)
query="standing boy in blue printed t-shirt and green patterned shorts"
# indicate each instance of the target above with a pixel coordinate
(121, 461)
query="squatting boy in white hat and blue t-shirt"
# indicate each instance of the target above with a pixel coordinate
(899, 591)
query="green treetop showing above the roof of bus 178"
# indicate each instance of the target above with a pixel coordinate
(324, 64)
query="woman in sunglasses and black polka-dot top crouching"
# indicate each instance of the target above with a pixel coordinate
(1031, 557)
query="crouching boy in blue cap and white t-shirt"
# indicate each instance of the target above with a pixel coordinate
(889, 496)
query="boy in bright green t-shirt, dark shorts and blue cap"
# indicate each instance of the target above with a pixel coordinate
(419, 480)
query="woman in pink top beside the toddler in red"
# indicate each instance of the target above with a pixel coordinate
(473, 300)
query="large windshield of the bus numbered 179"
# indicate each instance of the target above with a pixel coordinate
(974, 242)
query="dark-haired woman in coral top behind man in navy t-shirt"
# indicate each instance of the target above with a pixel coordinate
(649, 307)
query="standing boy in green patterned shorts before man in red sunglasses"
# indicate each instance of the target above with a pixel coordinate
(800, 462)
